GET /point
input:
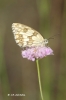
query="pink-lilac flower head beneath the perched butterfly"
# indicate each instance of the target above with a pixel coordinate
(36, 52)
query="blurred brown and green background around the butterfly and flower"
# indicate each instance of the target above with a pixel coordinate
(18, 75)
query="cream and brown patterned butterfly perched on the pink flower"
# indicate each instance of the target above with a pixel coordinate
(26, 36)
